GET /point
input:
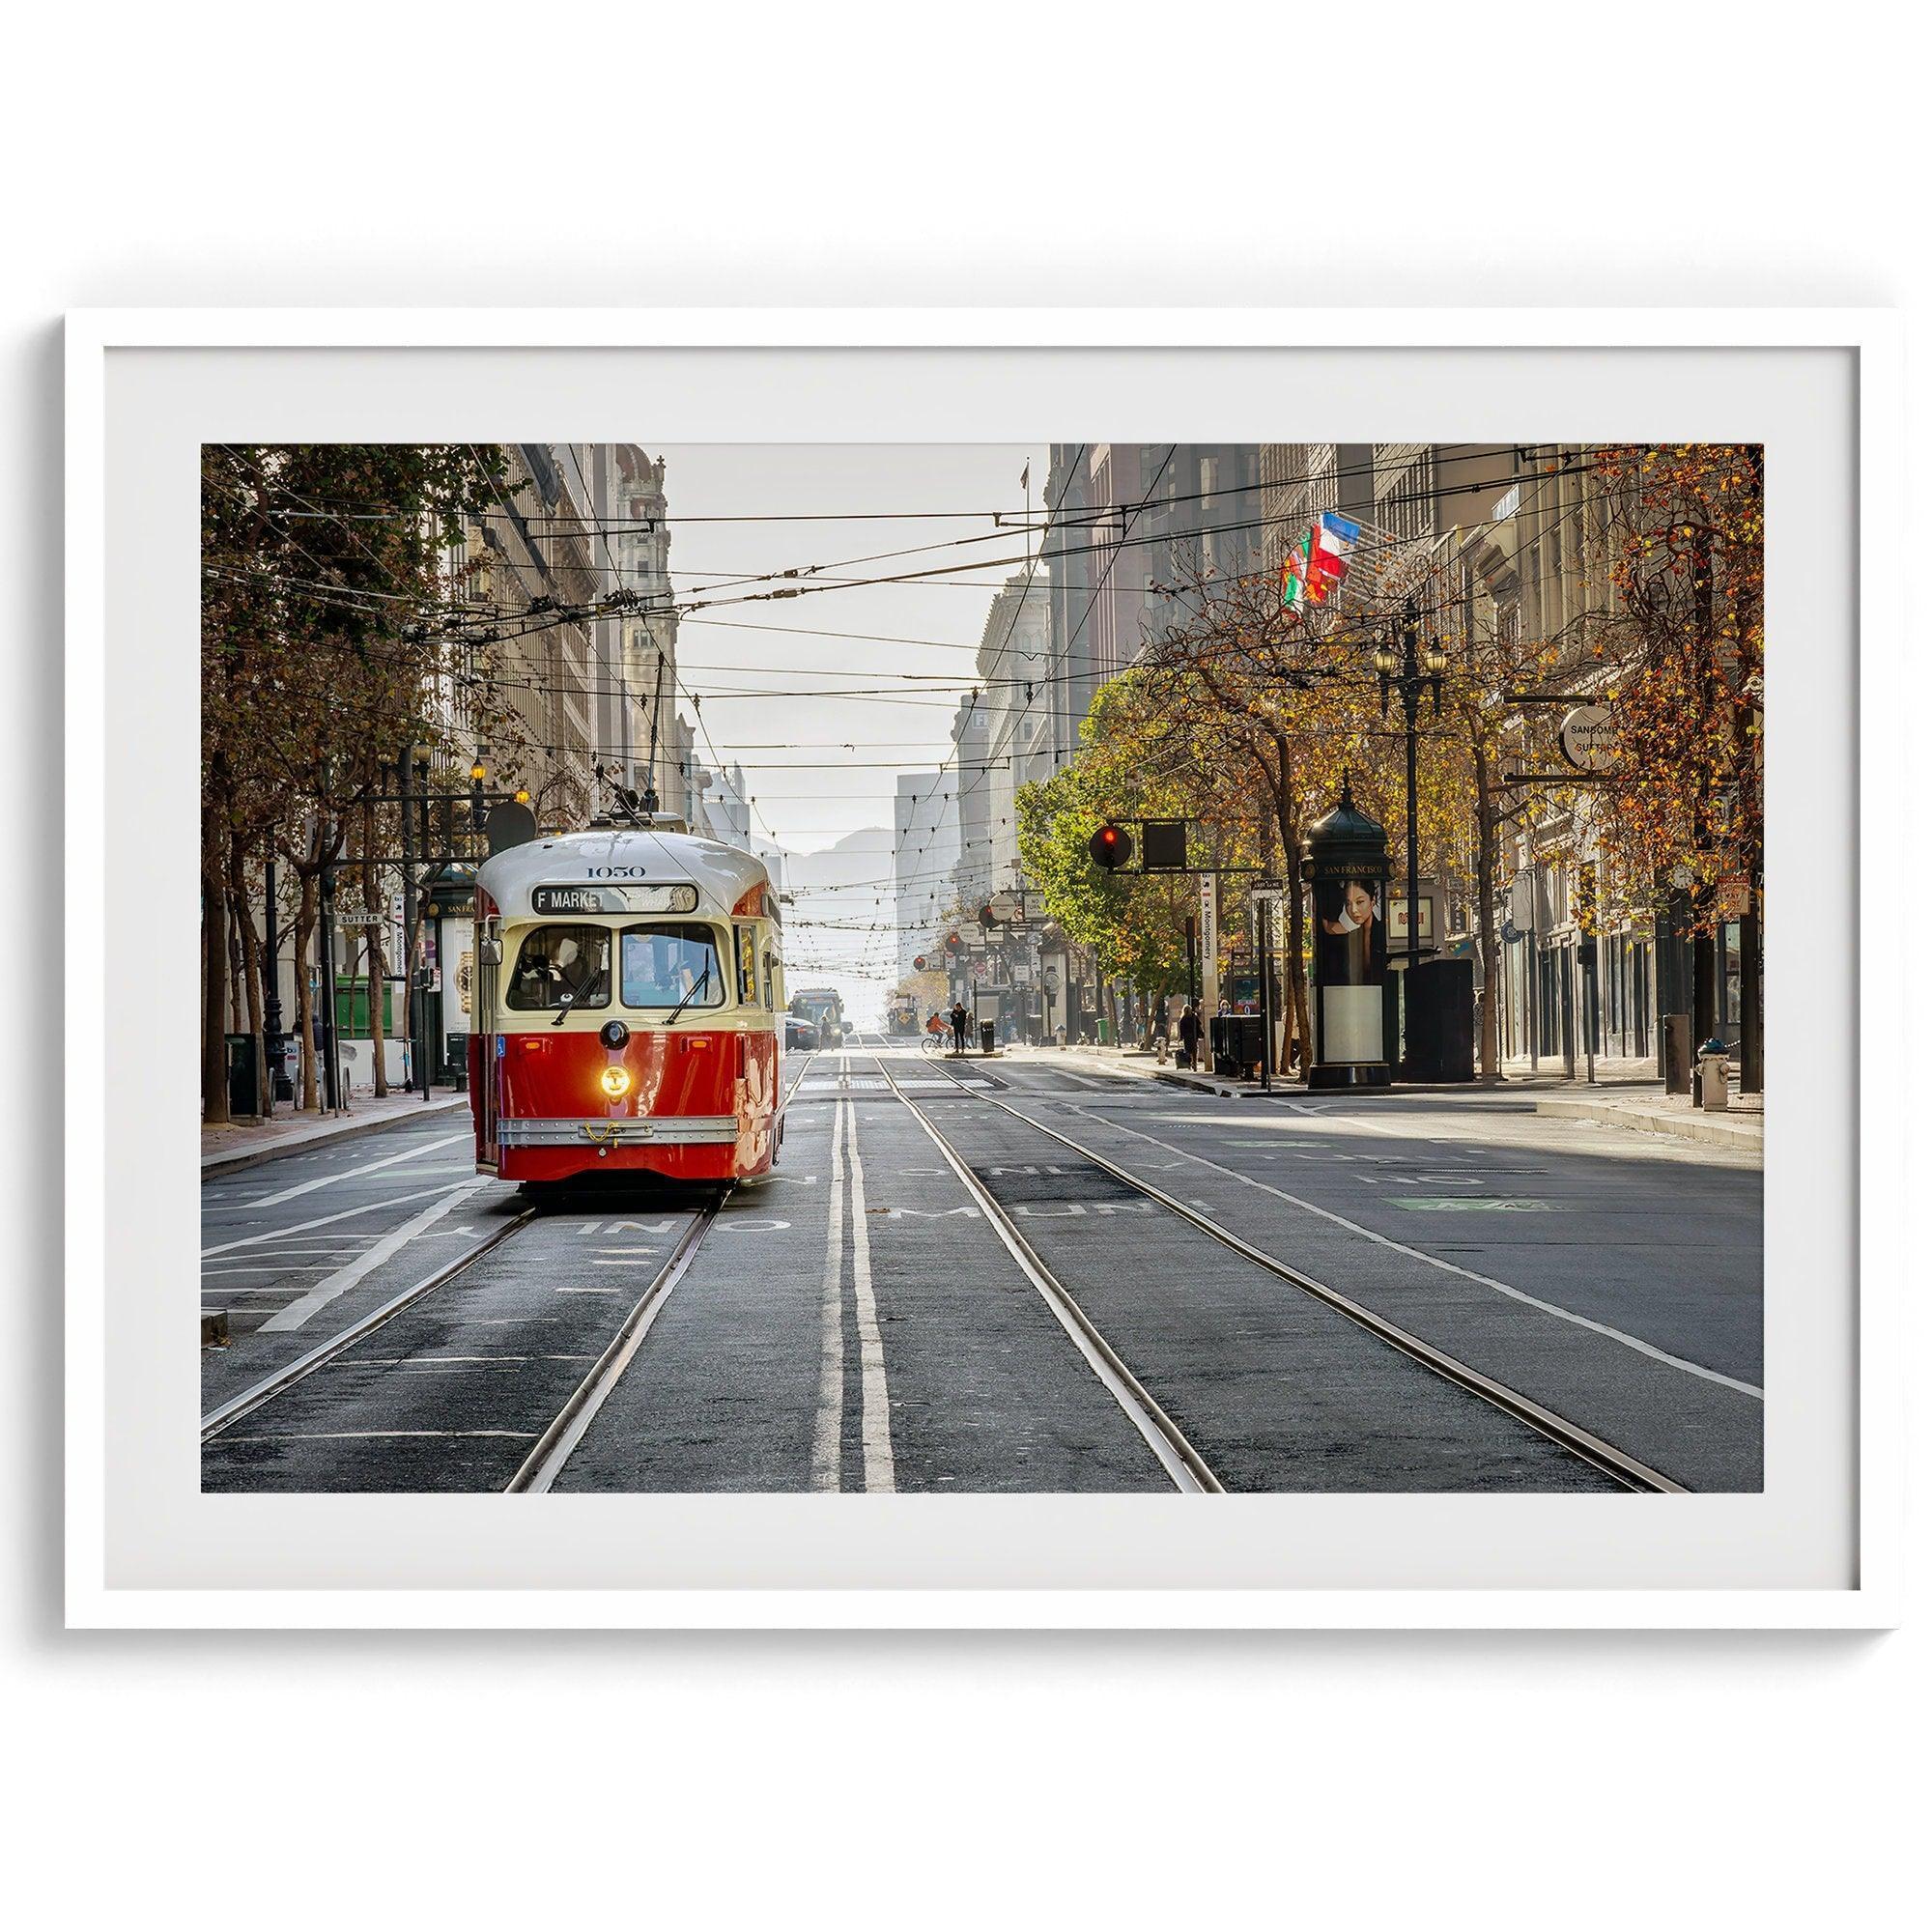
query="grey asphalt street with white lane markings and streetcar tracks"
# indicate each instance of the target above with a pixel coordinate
(861, 1324)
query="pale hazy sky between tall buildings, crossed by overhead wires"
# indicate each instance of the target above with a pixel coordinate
(822, 768)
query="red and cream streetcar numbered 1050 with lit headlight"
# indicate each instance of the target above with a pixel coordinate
(629, 1009)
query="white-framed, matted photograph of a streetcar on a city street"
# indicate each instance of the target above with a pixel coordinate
(932, 969)
